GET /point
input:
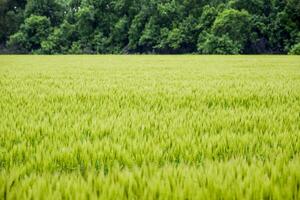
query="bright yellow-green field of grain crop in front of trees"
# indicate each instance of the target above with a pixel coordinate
(149, 127)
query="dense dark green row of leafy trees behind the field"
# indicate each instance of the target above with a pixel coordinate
(150, 26)
